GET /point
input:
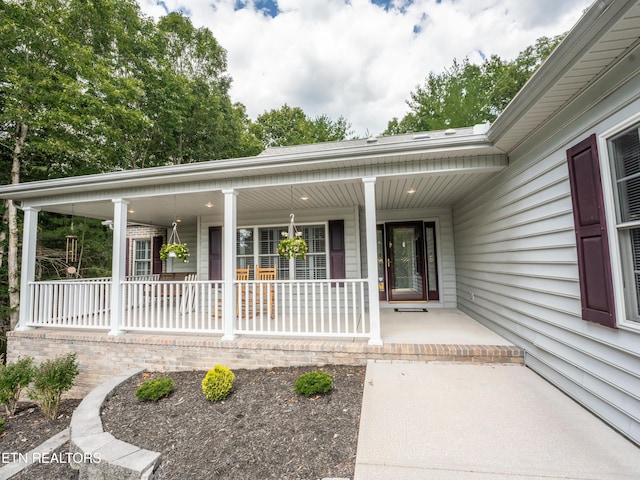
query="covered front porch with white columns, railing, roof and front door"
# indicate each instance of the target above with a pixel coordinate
(377, 214)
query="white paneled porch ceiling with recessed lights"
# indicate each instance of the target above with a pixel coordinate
(392, 193)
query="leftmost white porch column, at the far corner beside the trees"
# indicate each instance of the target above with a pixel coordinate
(28, 269)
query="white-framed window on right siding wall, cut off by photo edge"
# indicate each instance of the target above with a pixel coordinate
(624, 150)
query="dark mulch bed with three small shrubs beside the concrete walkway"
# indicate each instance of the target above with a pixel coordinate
(262, 430)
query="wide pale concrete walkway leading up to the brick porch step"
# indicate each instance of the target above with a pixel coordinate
(472, 422)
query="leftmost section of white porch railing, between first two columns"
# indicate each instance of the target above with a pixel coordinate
(71, 303)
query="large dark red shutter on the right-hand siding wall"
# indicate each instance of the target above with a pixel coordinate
(594, 265)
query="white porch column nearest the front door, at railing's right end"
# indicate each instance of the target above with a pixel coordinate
(372, 258)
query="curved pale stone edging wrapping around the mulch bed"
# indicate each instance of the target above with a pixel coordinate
(105, 457)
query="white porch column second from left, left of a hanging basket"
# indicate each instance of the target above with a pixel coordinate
(118, 265)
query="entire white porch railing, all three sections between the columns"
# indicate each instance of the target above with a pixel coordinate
(309, 308)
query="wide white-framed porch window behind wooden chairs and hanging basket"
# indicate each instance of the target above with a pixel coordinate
(265, 253)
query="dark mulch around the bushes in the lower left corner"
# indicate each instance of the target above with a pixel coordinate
(28, 429)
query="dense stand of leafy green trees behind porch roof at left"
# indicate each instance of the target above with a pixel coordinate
(91, 87)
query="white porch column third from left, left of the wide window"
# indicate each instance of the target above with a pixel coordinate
(229, 262)
